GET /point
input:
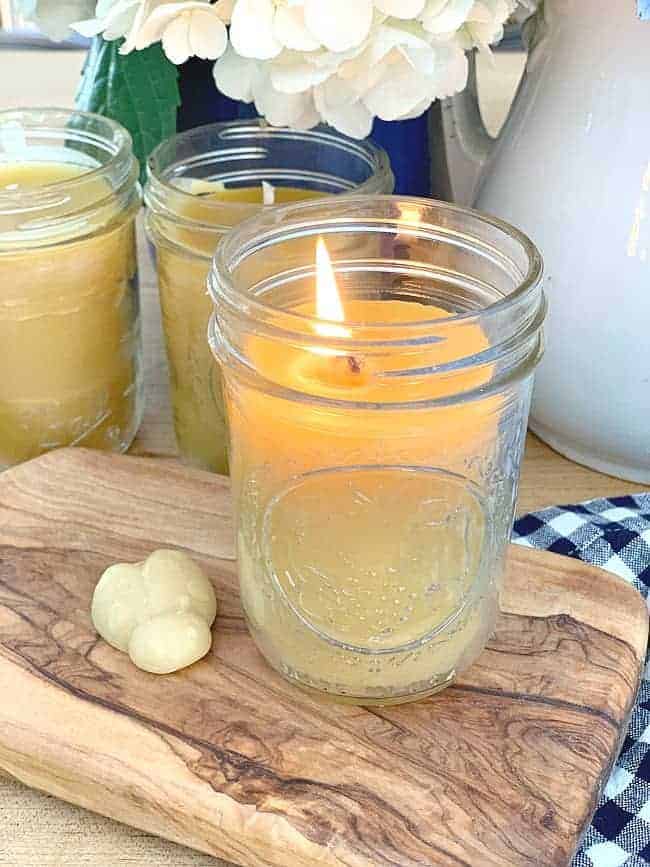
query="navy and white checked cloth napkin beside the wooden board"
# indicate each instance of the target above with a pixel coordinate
(614, 534)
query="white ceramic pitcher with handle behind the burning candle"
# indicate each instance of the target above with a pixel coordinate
(572, 169)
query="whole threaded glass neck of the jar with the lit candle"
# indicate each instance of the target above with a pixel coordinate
(495, 283)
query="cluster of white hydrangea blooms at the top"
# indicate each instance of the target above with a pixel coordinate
(344, 62)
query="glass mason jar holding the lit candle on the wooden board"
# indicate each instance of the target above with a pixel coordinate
(375, 457)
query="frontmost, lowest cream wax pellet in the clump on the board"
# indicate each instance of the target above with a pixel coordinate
(169, 642)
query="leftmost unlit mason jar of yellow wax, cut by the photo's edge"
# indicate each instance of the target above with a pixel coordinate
(70, 369)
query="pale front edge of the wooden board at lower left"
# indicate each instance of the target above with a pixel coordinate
(107, 742)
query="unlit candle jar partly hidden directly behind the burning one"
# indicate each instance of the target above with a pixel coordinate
(200, 184)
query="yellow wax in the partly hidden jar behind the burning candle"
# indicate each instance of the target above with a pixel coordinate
(183, 259)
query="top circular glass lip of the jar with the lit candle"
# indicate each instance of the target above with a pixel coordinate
(278, 219)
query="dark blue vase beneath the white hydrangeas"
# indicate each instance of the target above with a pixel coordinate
(407, 142)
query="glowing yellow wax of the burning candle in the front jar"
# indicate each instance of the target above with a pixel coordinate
(368, 556)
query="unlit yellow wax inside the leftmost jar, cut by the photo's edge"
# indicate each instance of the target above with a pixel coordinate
(69, 332)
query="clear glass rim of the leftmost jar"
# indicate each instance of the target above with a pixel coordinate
(116, 135)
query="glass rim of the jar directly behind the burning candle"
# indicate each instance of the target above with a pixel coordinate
(158, 183)
